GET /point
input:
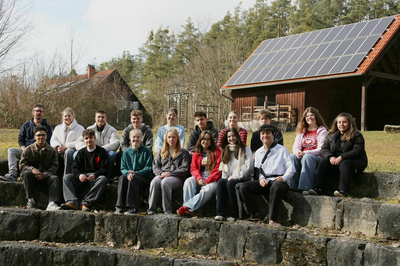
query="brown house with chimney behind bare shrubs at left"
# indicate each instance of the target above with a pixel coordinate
(105, 90)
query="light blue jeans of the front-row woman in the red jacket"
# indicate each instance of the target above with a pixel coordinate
(193, 201)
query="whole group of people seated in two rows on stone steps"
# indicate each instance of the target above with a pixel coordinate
(213, 164)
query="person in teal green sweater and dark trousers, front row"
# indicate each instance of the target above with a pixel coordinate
(136, 174)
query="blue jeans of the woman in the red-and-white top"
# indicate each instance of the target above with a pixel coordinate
(305, 171)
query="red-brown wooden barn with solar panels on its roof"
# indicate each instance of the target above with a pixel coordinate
(353, 68)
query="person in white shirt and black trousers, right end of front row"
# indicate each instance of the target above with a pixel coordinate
(275, 170)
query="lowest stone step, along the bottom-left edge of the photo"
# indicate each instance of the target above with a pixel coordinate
(21, 254)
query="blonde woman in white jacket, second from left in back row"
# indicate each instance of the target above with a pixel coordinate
(64, 137)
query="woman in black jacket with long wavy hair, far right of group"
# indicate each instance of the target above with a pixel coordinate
(343, 152)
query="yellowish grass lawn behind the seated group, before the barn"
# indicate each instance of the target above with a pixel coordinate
(383, 149)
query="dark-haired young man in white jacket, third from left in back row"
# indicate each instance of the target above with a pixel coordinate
(106, 137)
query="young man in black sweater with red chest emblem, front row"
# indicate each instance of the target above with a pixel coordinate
(90, 168)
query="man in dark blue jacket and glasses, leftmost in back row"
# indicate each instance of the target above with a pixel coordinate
(25, 138)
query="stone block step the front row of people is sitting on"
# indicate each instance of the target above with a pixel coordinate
(369, 217)
